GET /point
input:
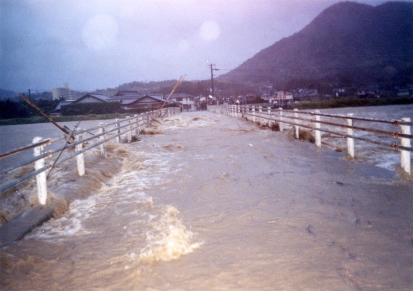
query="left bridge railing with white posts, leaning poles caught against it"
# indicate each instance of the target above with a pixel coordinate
(120, 130)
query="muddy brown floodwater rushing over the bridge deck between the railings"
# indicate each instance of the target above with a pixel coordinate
(215, 203)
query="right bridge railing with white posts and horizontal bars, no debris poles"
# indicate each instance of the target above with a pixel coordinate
(267, 116)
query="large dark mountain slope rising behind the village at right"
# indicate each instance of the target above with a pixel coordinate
(348, 43)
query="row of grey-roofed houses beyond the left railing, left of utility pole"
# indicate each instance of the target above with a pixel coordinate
(133, 100)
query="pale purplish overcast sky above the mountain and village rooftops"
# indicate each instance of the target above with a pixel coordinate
(97, 44)
